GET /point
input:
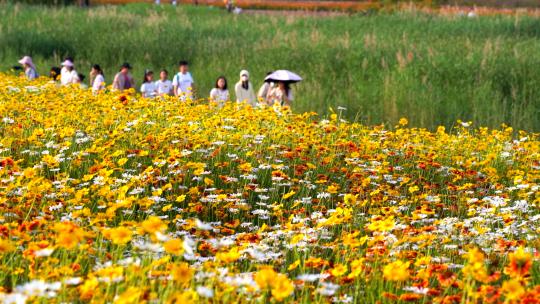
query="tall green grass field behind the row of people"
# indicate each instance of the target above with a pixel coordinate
(433, 70)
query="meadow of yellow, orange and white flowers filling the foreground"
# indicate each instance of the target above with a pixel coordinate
(117, 198)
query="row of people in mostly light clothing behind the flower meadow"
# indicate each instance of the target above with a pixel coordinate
(182, 85)
